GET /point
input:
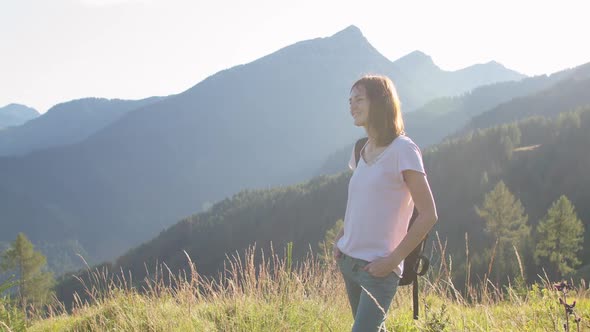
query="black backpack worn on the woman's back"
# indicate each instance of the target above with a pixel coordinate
(416, 264)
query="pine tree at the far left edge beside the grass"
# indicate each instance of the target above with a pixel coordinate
(34, 284)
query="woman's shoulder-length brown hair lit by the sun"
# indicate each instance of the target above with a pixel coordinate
(385, 114)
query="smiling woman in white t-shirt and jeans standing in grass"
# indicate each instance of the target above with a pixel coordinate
(387, 183)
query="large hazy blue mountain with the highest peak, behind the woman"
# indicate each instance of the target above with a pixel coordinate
(266, 123)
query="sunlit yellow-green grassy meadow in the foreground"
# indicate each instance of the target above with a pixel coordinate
(277, 296)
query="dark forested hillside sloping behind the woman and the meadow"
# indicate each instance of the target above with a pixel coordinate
(461, 172)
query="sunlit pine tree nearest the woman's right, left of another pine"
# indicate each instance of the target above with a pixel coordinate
(506, 223)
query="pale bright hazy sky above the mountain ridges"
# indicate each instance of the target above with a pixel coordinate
(60, 50)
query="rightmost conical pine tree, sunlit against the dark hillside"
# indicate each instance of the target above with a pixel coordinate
(559, 237)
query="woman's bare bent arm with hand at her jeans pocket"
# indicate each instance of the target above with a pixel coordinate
(422, 195)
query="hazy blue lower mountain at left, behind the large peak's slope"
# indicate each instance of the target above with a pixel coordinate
(66, 123)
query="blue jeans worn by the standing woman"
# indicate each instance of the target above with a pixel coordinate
(367, 315)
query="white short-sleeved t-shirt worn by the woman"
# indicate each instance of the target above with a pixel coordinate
(379, 204)
